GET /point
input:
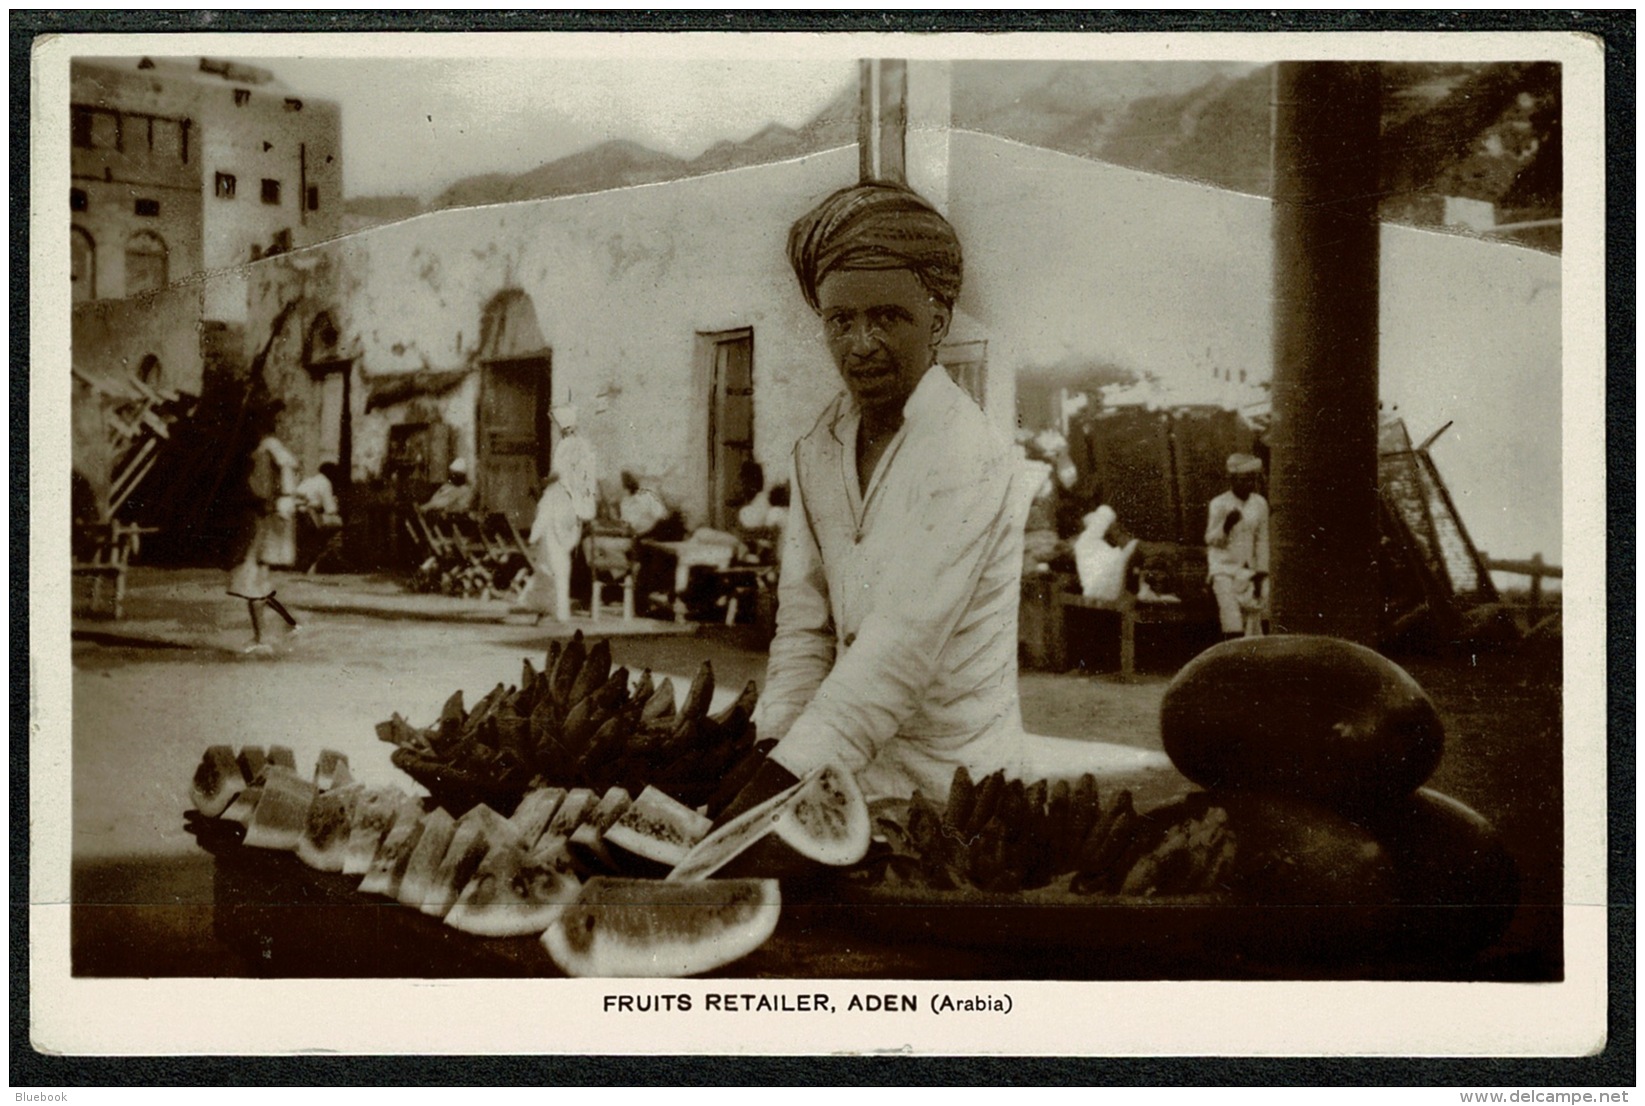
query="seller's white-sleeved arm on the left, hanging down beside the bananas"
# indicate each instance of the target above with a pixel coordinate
(804, 648)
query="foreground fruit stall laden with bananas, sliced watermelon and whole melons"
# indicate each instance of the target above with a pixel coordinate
(577, 824)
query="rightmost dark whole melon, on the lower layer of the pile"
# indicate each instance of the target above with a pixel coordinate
(1457, 881)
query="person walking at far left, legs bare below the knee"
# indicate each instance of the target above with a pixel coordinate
(269, 526)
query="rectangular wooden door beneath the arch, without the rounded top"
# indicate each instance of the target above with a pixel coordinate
(514, 440)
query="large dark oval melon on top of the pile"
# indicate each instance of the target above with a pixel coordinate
(1312, 717)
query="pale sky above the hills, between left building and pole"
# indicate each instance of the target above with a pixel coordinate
(414, 126)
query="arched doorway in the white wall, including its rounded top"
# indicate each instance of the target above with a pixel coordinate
(512, 432)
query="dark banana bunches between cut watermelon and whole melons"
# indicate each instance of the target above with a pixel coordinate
(1006, 835)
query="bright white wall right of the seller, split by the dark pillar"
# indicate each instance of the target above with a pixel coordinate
(1077, 263)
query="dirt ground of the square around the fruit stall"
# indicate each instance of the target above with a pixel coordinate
(142, 717)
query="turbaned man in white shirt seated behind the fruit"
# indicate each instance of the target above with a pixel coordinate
(896, 649)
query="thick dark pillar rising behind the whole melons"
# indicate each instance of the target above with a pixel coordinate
(1327, 233)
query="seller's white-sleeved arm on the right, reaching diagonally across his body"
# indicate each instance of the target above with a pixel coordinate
(917, 605)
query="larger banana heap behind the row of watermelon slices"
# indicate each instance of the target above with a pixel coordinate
(580, 723)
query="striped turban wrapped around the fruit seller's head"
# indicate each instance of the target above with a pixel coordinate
(876, 226)
